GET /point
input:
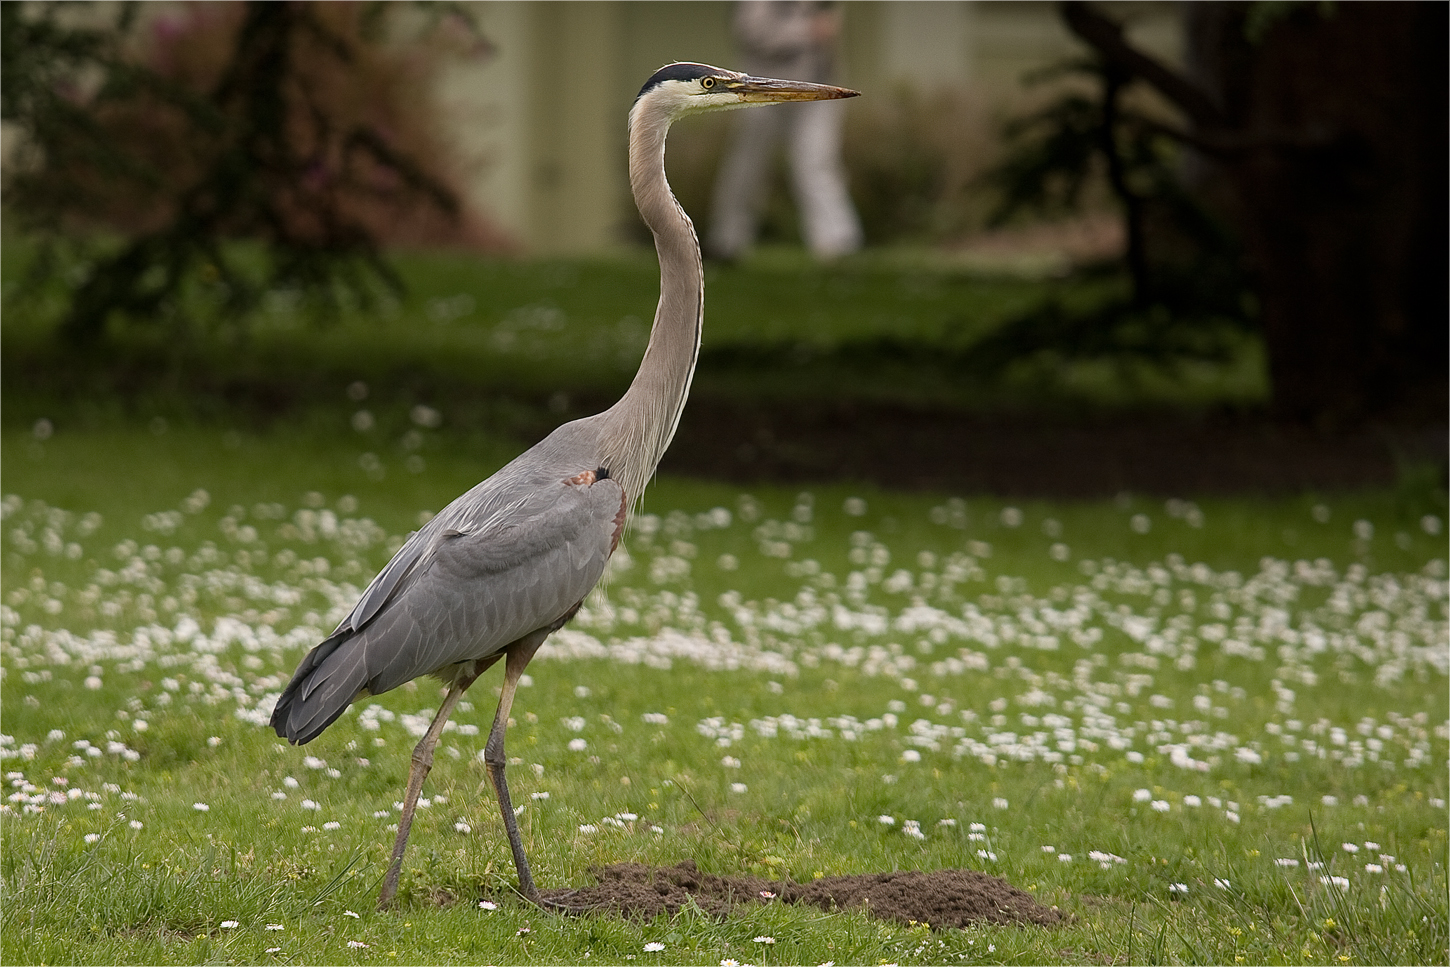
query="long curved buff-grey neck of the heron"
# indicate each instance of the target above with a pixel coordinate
(642, 424)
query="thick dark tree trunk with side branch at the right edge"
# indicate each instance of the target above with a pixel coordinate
(1330, 127)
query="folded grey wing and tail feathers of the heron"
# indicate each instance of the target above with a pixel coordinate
(463, 588)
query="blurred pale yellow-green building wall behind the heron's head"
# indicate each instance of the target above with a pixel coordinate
(544, 120)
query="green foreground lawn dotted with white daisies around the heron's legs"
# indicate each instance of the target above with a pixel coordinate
(1210, 733)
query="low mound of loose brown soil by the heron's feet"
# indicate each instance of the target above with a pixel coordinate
(942, 900)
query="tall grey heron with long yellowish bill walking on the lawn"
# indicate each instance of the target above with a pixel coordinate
(510, 563)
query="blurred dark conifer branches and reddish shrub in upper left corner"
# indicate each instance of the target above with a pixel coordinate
(147, 154)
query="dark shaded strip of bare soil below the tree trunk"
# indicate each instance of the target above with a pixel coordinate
(1040, 456)
